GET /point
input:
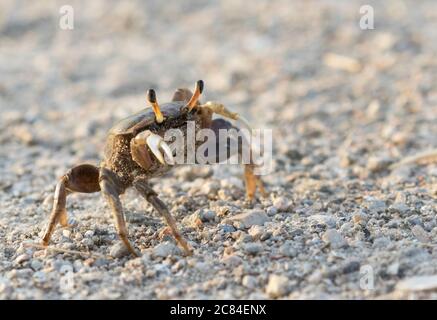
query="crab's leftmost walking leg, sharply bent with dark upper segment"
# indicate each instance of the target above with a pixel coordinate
(83, 178)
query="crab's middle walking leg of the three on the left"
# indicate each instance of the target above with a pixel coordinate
(111, 189)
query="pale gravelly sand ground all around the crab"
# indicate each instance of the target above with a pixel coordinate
(338, 223)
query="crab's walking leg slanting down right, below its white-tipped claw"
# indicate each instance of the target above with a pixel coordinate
(151, 196)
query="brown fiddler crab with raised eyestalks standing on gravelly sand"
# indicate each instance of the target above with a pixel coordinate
(135, 152)
